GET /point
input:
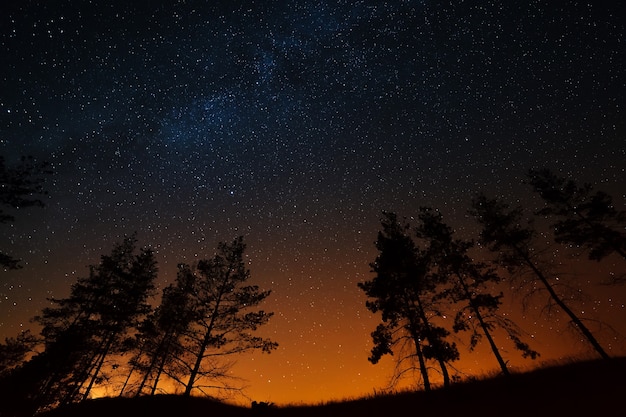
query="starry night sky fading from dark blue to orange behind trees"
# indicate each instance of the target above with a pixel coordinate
(295, 124)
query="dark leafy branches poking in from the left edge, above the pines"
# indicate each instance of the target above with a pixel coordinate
(20, 187)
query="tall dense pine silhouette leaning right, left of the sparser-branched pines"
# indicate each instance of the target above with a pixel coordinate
(81, 331)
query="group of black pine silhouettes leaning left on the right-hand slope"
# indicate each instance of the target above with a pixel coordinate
(424, 272)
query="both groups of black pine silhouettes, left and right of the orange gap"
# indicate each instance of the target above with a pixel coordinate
(107, 333)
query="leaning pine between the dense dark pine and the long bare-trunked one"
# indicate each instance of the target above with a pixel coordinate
(467, 281)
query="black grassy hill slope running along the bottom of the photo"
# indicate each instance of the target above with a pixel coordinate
(590, 388)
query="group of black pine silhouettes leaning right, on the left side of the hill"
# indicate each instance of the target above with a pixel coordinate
(106, 329)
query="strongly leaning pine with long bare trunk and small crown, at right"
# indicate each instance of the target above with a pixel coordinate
(504, 234)
